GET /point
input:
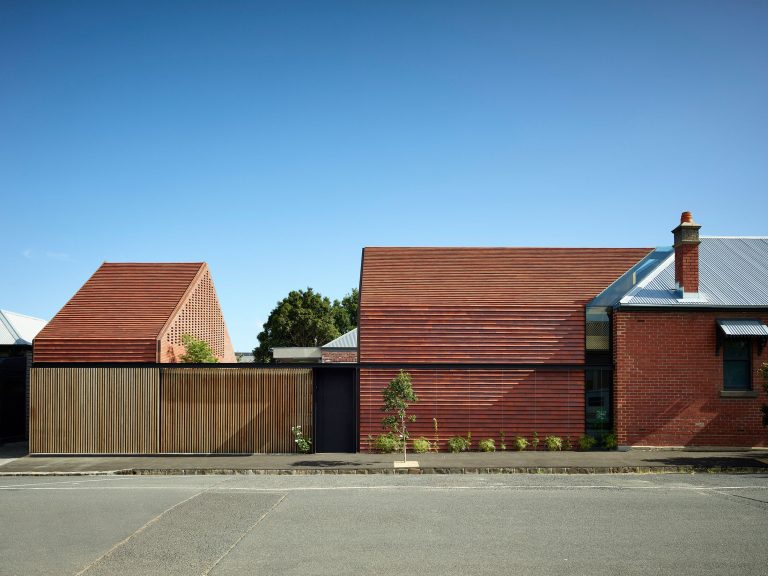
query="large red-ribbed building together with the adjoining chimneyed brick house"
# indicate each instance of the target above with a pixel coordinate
(660, 345)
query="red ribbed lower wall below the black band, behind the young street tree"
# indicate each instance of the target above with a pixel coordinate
(483, 402)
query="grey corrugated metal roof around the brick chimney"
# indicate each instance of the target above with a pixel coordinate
(733, 272)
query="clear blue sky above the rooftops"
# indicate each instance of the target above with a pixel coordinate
(275, 140)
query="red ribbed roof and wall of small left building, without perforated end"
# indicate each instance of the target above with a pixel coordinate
(117, 315)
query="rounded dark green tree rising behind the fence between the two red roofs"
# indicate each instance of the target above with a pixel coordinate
(303, 318)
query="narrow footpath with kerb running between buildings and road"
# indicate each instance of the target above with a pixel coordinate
(14, 461)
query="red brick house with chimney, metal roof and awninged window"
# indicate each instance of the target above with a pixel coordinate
(687, 342)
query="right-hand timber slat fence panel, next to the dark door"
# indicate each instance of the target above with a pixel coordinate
(234, 410)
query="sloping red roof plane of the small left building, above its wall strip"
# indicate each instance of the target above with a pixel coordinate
(124, 300)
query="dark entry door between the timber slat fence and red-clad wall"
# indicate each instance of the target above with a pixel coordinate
(335, 410)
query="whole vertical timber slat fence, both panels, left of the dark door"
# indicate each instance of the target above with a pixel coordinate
(167, 410)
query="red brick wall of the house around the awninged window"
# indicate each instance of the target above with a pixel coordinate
(668, 379)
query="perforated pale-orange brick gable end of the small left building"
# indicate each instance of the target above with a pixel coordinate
(199, 314)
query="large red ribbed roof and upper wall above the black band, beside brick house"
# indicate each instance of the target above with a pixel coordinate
(482, 305)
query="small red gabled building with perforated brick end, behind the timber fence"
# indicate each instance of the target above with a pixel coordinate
(137, 312)
